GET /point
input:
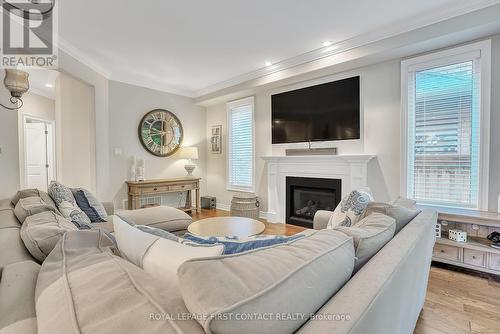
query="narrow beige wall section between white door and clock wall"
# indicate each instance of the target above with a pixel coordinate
(75, 133)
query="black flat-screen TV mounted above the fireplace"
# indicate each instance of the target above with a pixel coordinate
(328, 111)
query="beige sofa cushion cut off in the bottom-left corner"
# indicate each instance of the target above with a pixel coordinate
(17, 298)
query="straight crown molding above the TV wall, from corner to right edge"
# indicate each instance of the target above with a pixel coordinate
(352, 43)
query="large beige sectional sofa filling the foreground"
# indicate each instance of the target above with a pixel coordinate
(85, 286)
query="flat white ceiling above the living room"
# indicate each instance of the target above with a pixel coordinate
(188, 46)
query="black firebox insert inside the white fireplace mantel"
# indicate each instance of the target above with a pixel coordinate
(306, 195)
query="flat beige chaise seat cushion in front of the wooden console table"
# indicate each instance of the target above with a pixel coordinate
(162, 217)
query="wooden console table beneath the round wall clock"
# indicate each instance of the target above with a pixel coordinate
(139, 189)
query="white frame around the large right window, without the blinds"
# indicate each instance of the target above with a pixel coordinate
(467, 52)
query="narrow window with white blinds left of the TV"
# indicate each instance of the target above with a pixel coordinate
(240, 160)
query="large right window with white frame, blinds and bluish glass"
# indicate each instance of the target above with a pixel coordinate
(446, 127)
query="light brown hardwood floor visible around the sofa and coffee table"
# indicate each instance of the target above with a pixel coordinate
(456, 302)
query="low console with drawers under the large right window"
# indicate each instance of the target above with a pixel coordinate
(476, 253)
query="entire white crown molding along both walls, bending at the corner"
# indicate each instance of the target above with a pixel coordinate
(340, 47)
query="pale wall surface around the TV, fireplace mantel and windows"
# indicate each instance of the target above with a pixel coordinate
(380, 111)
